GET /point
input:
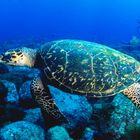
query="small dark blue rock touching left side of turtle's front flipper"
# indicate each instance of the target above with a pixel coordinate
(25, 97)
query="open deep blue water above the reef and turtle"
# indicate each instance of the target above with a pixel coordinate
(104, 21)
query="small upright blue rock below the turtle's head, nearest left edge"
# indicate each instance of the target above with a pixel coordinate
(12, 95)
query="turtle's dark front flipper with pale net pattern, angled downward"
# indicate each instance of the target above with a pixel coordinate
(50, 111)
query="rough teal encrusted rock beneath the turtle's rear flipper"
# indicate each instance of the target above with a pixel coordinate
(124, 114)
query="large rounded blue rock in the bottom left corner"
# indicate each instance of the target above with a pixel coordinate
(22, 130)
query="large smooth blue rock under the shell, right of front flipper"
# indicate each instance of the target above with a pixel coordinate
(76, 108)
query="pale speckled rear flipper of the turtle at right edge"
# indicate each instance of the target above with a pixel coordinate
(133, 93)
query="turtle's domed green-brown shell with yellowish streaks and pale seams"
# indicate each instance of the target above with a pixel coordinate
(88, 68)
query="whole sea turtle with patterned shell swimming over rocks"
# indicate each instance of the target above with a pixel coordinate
(78, 67)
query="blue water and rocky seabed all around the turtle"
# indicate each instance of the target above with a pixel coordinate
(30, 23)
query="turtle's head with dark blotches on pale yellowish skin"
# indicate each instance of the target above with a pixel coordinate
(19, 57)
